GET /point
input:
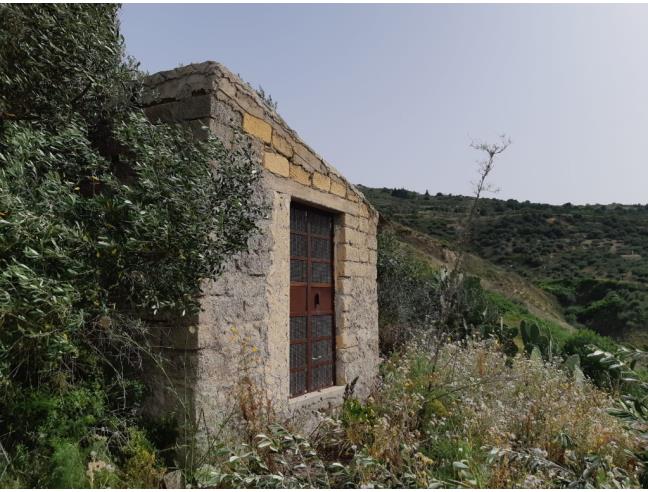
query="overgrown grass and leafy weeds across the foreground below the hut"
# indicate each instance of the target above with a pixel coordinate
(467, 416)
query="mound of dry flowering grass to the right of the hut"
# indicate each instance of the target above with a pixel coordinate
(484, 420)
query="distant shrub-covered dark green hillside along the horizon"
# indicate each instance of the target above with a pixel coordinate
(592, 258)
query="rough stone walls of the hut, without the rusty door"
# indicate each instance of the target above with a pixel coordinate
(242, 333)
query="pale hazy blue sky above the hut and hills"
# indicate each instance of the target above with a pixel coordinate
(393, 95)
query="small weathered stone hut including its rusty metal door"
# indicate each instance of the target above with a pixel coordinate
(297, 315)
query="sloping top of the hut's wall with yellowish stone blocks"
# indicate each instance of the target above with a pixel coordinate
(210, 90)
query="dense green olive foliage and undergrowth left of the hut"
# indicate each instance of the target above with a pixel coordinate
(104, 218)
